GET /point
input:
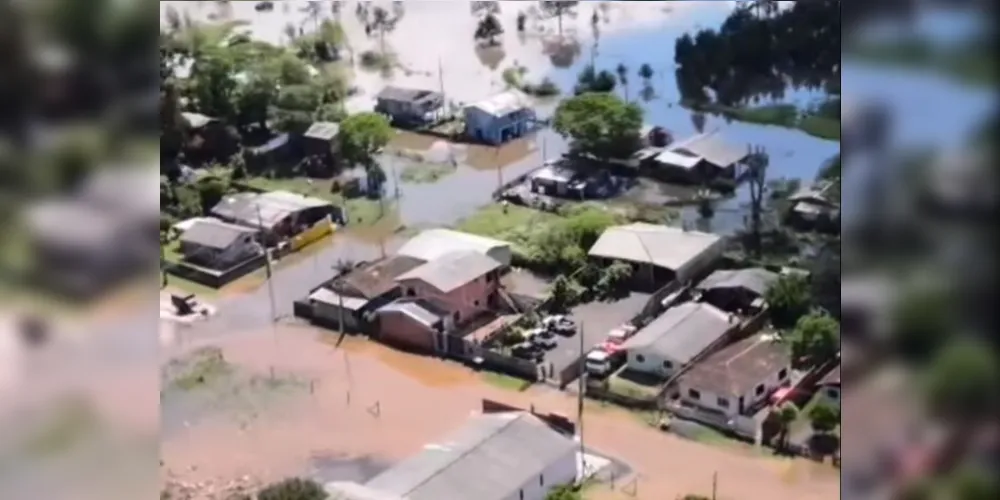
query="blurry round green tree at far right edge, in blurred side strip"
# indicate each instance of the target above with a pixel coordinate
(962, 381)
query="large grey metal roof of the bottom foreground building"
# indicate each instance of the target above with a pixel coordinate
(488, 459)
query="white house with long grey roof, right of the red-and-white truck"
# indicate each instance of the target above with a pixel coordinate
(677, 337)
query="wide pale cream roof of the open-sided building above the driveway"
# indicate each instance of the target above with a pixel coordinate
(662, 246)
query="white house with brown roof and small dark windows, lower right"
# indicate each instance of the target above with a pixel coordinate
(735, 380)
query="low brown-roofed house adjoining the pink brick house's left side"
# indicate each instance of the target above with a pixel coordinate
(352, 297)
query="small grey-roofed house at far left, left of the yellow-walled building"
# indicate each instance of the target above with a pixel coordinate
(218, 245)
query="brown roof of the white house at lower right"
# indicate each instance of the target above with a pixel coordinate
(738, 368)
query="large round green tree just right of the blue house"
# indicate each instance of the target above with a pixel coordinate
(601, 125)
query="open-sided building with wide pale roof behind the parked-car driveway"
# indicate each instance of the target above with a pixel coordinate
(659, 254)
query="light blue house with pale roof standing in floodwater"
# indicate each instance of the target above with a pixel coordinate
(501, 118)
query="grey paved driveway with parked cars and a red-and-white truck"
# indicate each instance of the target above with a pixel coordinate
(595, 320)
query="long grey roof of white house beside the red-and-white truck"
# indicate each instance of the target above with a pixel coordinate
(682, 332)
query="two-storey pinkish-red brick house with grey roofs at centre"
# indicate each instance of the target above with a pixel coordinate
(449, 291)
